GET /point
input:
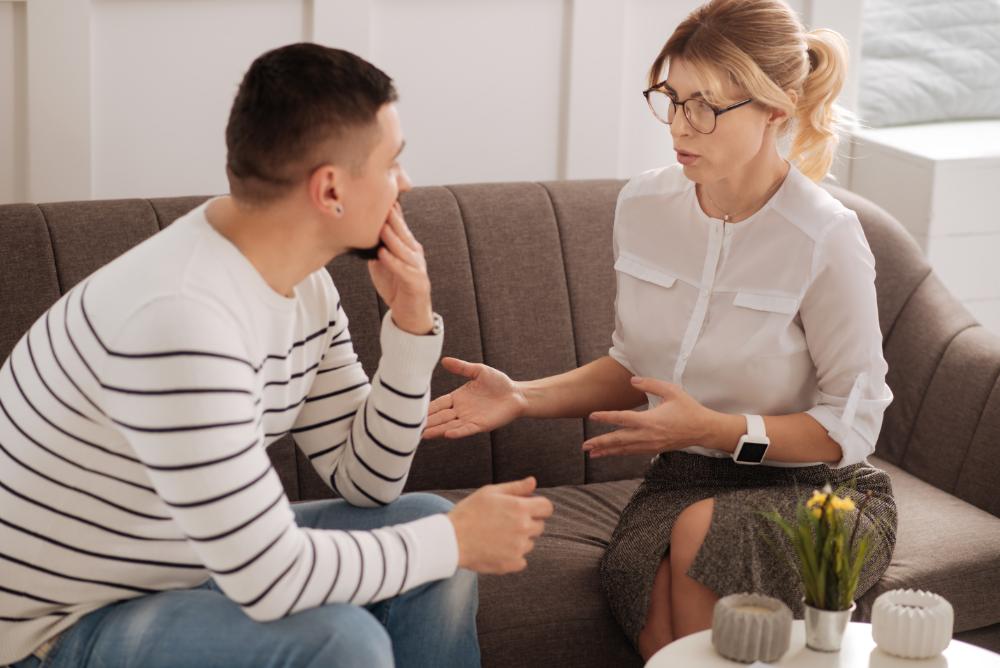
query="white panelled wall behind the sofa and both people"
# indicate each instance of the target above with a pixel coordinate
(129, 98)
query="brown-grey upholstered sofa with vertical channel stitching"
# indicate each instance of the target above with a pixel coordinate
(522, 274)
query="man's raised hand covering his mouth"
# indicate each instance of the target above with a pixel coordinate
(400, 276)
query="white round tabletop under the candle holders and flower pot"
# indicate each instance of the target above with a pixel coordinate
(857, 651)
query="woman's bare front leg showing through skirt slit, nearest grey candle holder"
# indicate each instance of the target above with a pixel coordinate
(691, 603)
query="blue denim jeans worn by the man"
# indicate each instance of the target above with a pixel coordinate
(431, 625)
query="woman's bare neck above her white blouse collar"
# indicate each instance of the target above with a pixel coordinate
(738, 196)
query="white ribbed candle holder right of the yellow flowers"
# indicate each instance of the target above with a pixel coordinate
(912, 624)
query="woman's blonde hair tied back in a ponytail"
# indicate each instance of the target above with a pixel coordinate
(765, 50)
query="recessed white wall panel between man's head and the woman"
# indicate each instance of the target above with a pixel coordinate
(479, 84)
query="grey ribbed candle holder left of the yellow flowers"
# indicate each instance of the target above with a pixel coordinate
(751, 627)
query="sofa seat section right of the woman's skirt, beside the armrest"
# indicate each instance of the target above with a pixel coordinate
(943, 545)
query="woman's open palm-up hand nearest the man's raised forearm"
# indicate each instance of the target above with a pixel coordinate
(488, 401)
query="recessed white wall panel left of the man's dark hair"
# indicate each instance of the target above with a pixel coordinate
(164, 77)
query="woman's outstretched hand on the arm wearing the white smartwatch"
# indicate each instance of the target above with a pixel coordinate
(678, 422)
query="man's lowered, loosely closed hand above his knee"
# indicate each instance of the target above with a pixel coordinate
(497, 525)
